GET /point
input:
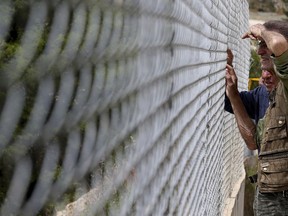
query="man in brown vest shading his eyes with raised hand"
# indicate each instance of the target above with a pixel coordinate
(270, 134)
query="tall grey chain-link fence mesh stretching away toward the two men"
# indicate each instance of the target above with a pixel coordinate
(115, 107)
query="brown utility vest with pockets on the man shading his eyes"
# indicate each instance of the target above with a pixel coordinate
(273, 154)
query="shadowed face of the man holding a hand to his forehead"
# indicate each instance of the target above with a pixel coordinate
(265, 56)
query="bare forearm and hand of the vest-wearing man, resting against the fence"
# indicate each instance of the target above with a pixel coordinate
(246, 126)
